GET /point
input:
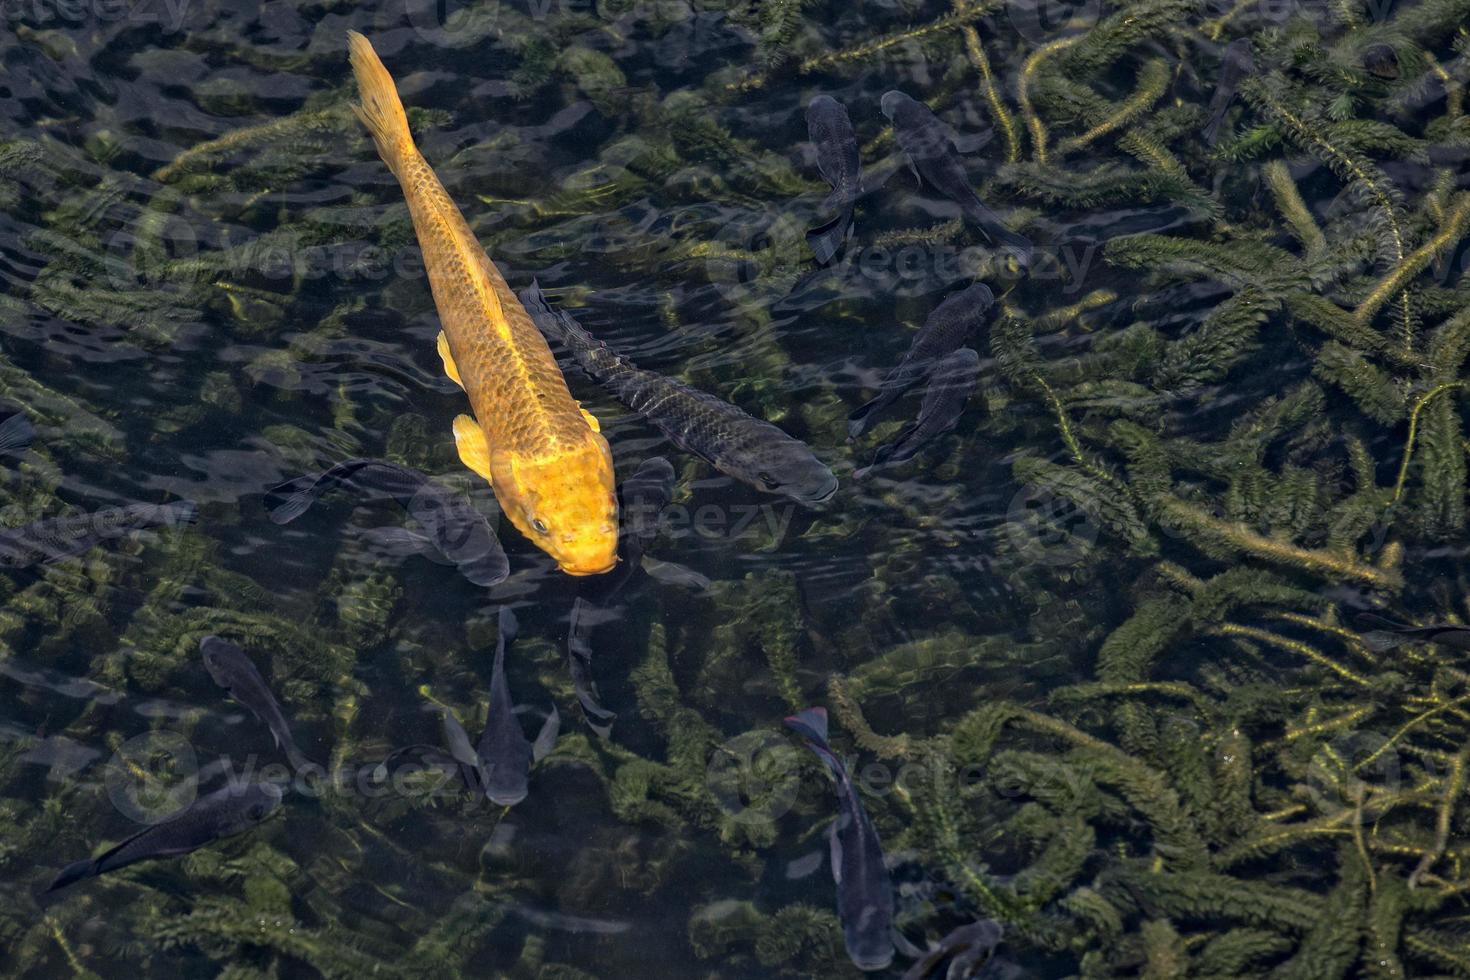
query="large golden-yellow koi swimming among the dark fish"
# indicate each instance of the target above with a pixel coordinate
(540, 450)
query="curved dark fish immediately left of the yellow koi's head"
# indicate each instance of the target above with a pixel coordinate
(455, 530)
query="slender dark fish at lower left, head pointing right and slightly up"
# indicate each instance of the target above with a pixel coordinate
(221, 815)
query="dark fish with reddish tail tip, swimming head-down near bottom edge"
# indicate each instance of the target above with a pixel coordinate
(865, 894)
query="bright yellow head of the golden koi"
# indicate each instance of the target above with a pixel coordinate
(567, 506)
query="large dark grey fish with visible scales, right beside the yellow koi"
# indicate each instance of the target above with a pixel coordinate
(733, 442)
